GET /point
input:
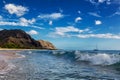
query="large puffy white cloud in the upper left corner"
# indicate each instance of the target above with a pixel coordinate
(16, 9)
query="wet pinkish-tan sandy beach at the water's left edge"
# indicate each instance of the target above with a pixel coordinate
(5, 56)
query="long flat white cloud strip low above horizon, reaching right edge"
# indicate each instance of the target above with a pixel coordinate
(107, 36)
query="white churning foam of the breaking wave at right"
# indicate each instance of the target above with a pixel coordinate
(99, 58)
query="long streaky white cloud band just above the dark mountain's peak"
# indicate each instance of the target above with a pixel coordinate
(21, 22)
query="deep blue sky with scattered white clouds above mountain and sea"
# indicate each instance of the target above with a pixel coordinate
(68, 24)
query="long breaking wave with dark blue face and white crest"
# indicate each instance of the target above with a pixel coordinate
(93, 58)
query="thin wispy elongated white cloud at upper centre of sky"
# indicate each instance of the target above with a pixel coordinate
(52, 16)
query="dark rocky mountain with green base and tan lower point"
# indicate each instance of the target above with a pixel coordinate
(20, 39)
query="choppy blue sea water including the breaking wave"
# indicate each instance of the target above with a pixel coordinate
(65, 65)
